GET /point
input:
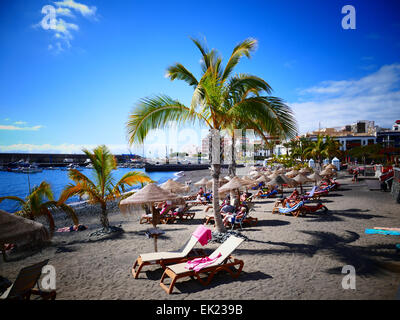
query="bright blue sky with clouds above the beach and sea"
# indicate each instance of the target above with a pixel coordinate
(75, 86)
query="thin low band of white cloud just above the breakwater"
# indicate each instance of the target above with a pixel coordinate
(61, 148)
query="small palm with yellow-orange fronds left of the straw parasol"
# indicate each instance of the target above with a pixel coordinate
(102, 189)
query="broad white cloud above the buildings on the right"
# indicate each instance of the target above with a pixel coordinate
(336, 103)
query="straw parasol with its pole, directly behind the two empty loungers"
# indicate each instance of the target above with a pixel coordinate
(148, 195)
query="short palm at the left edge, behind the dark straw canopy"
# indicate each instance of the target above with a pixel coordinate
(39, 202)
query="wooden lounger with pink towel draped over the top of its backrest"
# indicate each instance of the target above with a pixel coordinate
(169, 257)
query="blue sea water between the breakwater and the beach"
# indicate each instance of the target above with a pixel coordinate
(17, 184)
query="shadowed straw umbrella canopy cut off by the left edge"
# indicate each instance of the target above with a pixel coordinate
(16, 229)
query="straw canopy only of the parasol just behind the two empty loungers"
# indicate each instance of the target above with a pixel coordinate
(149, 194)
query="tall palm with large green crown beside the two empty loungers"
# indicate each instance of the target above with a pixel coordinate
(218, 100)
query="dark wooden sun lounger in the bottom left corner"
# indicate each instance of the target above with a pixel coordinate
(23, 286)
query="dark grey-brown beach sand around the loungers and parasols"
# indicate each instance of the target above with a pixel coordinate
(284, 258)
